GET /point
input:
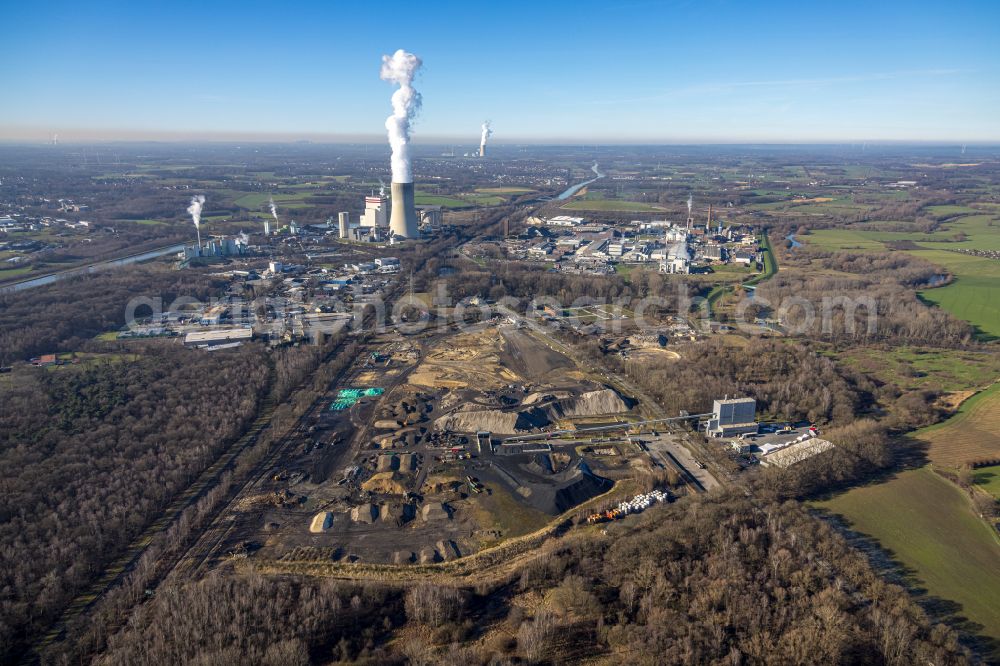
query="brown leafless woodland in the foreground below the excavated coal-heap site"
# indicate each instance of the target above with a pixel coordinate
(715, 579)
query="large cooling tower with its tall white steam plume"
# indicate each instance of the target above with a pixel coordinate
(400, 68)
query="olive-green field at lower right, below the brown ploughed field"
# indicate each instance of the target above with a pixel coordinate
(928, 525)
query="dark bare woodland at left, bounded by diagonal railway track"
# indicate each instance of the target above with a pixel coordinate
(90, 455)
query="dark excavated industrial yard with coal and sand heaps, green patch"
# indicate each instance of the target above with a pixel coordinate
(435, 446)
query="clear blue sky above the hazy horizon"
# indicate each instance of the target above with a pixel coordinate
(585, 71)
